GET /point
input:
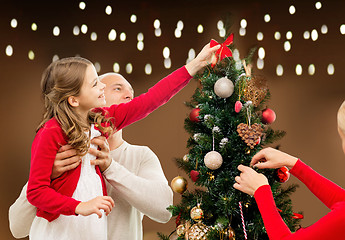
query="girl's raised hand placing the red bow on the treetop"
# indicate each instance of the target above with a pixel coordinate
(205, 57)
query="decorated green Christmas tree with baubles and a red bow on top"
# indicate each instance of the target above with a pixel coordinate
(228, 124)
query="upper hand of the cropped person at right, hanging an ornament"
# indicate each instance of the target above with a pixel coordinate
(272, 158)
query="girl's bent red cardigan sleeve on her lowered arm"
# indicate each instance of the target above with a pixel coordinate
(39, 193)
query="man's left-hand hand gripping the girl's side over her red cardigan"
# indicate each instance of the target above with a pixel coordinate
(66, 159)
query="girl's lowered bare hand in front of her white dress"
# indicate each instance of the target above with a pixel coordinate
(95, 205)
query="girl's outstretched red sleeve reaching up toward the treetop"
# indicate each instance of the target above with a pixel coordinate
(126, 113)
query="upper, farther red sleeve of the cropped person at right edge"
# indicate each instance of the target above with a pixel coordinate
(327, 191)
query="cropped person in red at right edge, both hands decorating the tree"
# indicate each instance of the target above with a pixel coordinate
(331, 226)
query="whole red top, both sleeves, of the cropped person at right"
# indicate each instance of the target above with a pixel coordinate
(331, 226)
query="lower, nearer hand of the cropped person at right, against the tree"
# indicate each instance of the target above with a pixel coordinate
(249, 180)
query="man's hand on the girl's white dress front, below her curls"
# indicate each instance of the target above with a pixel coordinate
(103, 159)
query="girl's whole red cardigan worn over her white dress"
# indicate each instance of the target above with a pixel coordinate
(53, 198)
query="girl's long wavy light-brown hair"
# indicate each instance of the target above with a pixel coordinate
(62, 79)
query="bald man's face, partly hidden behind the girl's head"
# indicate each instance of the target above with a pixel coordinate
(117, 89)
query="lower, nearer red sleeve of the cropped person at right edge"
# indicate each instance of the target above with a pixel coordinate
(331, 226)
